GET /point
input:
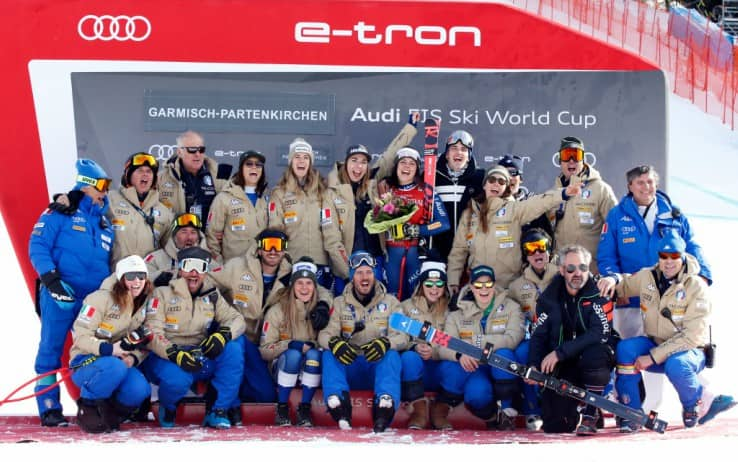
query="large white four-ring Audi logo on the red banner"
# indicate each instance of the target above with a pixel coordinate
(120, 28)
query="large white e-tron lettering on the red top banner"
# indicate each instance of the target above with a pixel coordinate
(370, 34)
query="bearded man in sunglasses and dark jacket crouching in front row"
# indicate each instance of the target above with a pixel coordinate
(573, 340)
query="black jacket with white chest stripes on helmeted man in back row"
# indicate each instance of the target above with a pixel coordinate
(455, 193)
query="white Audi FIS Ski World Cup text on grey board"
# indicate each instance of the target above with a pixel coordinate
(564, 118)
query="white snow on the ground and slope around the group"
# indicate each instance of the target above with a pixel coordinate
(701, 179)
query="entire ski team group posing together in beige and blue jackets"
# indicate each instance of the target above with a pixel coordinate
(186, 275)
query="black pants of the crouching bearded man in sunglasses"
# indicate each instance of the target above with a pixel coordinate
(593, 368)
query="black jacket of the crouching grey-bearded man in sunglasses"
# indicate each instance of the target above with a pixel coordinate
(570, 324)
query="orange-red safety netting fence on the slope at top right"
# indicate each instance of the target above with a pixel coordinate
(699, 59)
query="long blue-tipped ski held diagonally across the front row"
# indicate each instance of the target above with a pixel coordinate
(425, 331)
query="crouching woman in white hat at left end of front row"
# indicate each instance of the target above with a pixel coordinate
(109, 344)
